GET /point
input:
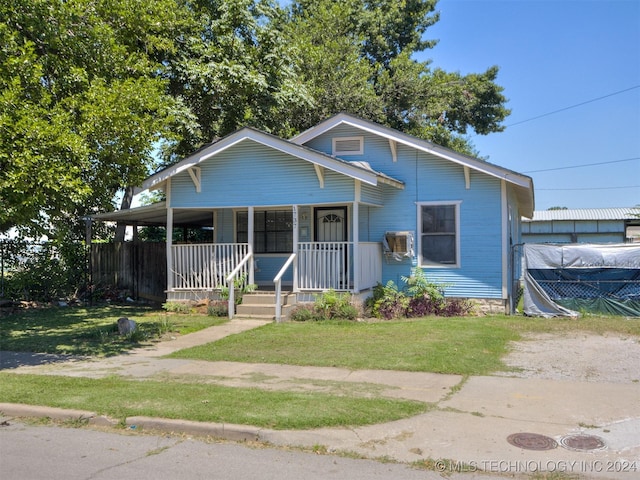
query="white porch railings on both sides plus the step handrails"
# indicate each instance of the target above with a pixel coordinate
(203, 270)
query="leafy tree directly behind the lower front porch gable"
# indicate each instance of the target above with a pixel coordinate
(236, 69)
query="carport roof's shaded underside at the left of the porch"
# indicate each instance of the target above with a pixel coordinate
(156, 215)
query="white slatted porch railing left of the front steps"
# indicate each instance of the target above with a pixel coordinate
(205, 266)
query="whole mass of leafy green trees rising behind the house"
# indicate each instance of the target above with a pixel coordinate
(92, 90)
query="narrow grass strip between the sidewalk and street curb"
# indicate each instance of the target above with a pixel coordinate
(119, 398)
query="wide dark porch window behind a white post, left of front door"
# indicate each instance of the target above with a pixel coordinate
(272, 230)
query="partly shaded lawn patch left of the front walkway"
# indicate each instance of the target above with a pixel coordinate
(92, 331)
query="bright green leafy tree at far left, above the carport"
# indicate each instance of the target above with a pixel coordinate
(82, 104)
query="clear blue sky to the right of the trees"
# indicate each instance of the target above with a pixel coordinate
(571, 73)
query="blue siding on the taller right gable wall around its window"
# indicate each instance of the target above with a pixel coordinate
(431, 179)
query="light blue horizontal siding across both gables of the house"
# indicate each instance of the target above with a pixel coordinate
(250, 174)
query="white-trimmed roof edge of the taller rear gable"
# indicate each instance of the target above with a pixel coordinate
(523, 184)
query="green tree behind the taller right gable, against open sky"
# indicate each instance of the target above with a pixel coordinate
(357, 56)
